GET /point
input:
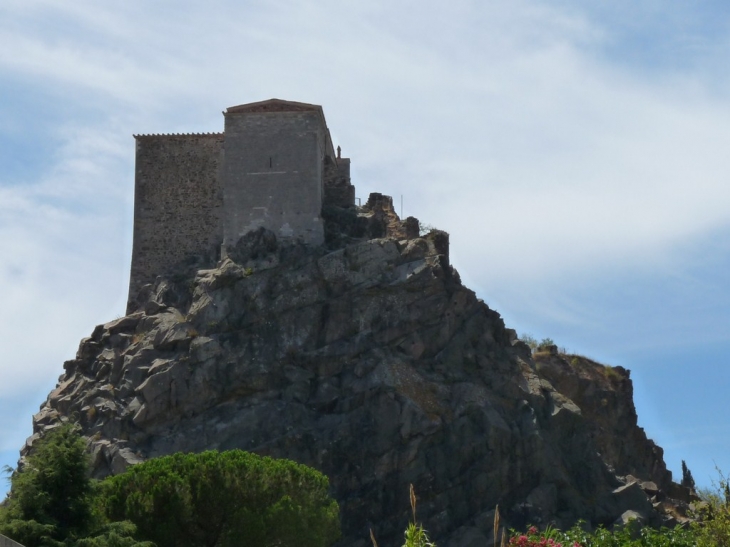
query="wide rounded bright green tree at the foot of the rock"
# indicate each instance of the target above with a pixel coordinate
(224, 499)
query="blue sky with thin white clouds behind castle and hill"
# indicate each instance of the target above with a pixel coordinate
(575, 151)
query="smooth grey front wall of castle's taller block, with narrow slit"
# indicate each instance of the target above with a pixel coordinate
(272, 174)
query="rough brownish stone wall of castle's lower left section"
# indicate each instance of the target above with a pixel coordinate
(177, 203)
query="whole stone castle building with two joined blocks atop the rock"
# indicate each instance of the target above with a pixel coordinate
(195, 195)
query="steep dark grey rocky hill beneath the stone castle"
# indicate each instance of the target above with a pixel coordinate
(368, 360)
